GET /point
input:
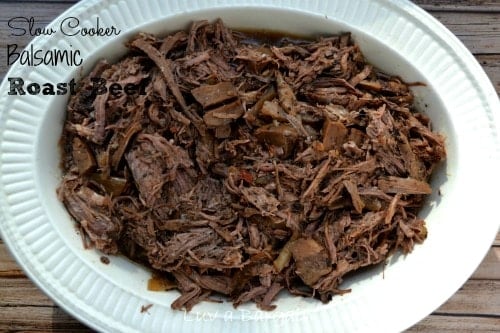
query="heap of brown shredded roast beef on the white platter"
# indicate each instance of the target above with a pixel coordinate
(247, 166)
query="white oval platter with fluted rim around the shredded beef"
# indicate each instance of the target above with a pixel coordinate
(396, 36)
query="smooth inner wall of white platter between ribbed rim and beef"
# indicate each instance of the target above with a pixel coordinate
(382, 56)
